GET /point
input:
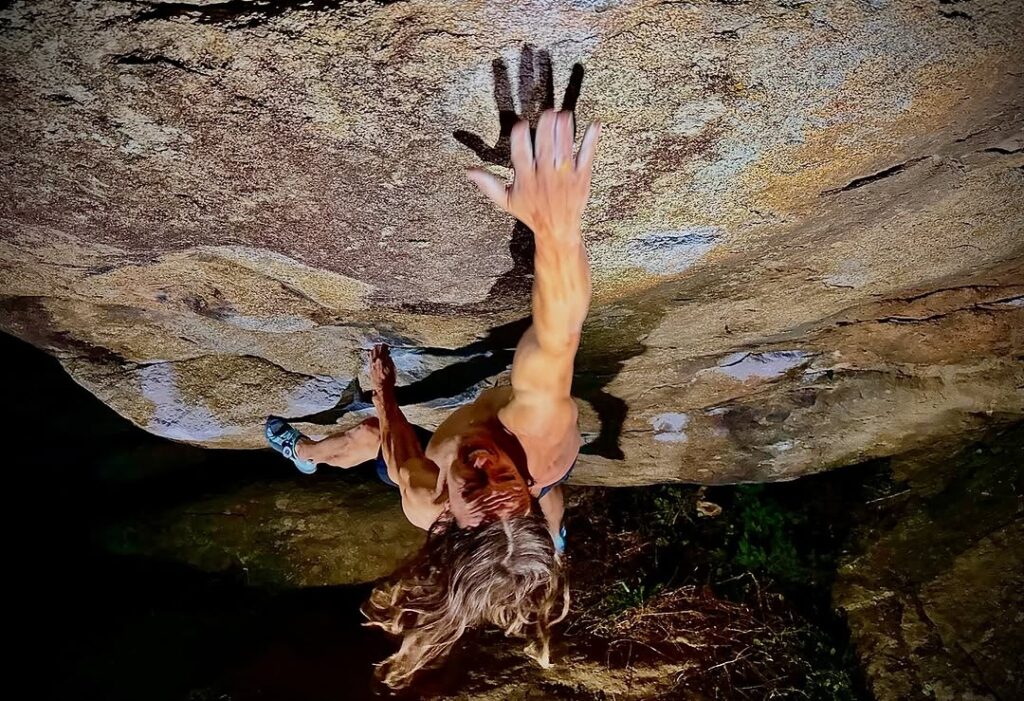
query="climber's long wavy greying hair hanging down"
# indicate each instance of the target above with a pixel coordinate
(505, 573)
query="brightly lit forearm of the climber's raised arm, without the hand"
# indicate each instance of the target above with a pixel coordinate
(562, 290)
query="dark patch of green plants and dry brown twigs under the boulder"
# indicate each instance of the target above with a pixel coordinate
(740, 600)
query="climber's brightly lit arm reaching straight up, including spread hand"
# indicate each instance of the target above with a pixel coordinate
(548, 195)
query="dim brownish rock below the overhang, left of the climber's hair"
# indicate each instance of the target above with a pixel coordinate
(280, 535)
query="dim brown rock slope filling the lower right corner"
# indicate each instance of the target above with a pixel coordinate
(935, 601)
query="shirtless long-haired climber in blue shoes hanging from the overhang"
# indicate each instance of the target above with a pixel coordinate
(486, 485)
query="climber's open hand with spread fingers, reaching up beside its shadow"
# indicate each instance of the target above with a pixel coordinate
(551, 186)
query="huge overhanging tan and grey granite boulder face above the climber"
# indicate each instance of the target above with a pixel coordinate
(805, 227)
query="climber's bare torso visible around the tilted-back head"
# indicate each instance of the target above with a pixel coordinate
(549, 456)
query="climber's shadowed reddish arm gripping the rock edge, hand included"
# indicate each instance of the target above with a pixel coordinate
(407, 465)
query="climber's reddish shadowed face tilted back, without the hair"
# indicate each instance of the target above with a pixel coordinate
(488, 480)
